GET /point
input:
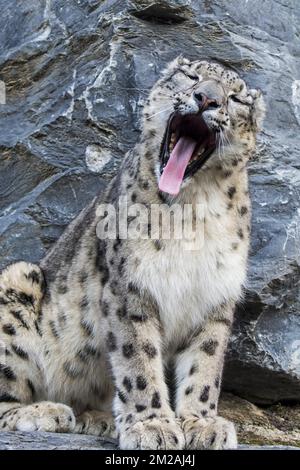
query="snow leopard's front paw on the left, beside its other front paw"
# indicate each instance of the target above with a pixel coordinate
(153, 434)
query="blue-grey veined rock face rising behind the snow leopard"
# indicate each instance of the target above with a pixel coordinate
(76, 75)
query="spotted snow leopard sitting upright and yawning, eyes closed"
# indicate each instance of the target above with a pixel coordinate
(87, 337)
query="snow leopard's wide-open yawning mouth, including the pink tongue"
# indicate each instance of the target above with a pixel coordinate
(186, 146)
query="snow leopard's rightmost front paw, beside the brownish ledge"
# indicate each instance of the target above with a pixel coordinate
(209, 433)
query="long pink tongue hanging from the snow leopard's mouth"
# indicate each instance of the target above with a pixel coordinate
(172, 176)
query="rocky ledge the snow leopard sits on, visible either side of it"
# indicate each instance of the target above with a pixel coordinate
(276, 427)
